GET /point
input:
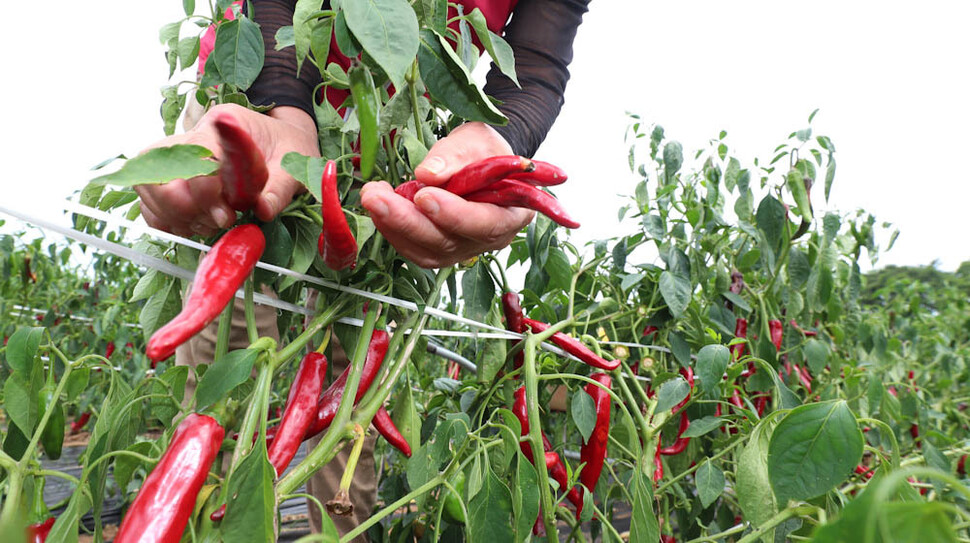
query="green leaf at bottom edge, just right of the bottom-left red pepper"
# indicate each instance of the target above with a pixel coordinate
(251, 507)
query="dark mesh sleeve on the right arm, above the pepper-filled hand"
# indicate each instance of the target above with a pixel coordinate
(541, 34)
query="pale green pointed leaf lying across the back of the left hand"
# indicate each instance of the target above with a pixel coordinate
(161, 165)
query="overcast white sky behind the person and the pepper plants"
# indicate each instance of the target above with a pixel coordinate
(81, 84)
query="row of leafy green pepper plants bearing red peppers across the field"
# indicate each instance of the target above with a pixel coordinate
(725, 382)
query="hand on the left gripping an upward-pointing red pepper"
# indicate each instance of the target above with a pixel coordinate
(196, 206)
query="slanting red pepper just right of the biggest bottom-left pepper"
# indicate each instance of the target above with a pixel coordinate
(301, 409)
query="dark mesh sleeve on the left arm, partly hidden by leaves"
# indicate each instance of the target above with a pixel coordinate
(277, 82)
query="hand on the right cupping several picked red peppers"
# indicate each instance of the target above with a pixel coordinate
(440, 228)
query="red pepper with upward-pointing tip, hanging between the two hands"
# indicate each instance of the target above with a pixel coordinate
(337, 245)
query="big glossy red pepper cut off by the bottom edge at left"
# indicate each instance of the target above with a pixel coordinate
(162, 508)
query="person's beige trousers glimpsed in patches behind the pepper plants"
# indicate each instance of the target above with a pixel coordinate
(324, 483)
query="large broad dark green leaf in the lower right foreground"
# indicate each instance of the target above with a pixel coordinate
(813, 449)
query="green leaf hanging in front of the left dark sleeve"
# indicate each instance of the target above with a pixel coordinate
(238, 52)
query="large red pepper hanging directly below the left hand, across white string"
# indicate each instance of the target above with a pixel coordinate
(222, 271)
